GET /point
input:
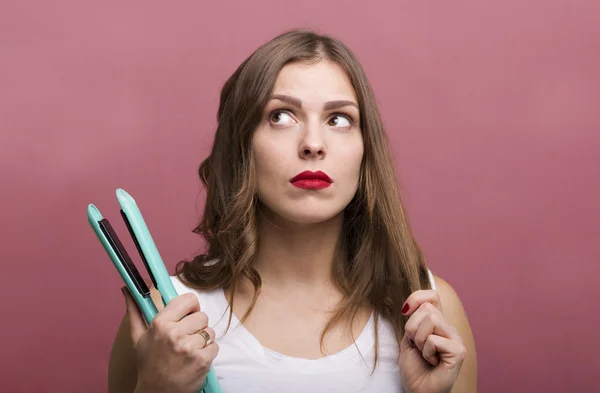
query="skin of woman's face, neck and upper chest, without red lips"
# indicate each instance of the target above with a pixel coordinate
(299, 228)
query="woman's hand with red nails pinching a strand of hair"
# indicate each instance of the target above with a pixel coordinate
(431, 351)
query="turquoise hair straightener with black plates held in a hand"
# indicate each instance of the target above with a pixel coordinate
(151, 258)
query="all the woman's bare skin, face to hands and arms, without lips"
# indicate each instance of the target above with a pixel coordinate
(298, 231)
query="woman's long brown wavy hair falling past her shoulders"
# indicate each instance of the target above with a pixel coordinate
(378, 261)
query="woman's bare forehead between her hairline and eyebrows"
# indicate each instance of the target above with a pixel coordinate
(318, 82)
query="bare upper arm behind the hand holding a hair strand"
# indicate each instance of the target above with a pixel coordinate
(455, 314)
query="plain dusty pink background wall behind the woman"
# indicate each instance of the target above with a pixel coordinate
(493, 110)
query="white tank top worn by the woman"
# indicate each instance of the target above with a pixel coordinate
(244, 366)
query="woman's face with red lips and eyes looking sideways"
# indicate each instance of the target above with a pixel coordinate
(308, 147)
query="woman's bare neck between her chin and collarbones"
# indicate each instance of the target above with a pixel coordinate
(295, 255)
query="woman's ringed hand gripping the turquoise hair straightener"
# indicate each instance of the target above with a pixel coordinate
(171, 356)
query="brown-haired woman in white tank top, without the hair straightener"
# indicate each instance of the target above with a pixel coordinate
(308, 246)
